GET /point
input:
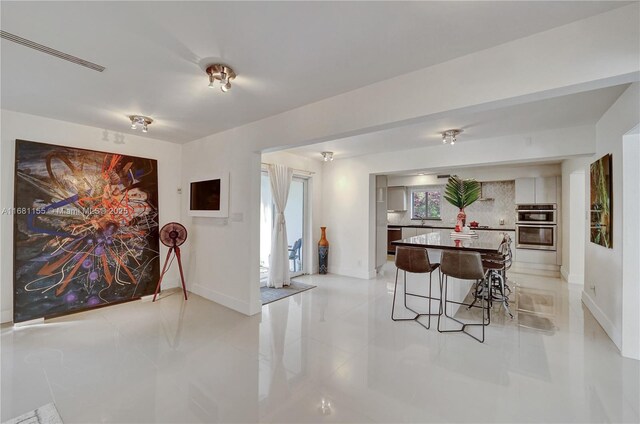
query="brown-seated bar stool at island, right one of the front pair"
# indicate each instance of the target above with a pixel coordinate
(464, 266)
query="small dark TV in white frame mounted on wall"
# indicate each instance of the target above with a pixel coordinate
(209, 197)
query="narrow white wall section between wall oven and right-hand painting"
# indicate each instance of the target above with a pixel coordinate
(574, 217)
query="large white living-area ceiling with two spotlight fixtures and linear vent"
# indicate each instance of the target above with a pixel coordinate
(287, 54)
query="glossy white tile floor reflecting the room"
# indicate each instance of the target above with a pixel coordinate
(330, 354)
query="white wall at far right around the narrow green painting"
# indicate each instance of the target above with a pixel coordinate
(603, 267)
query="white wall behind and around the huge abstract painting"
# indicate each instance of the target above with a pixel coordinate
(33, 128)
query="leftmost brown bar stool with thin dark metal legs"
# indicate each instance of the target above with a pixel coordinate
(414, 260)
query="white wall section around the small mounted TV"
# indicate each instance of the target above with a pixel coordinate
(223, 255)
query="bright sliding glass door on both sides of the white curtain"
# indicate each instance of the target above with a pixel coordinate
(296, 217)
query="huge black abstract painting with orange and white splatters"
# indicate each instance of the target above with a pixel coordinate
(85, 229)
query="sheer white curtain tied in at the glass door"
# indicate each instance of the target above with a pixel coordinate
(280, 177)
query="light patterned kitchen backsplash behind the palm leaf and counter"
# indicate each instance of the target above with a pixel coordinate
(487, 212)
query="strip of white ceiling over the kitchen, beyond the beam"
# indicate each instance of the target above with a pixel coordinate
(584, 108)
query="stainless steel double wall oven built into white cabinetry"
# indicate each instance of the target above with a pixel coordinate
(536, 227)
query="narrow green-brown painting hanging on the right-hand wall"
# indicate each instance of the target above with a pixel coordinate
(601, 201)
